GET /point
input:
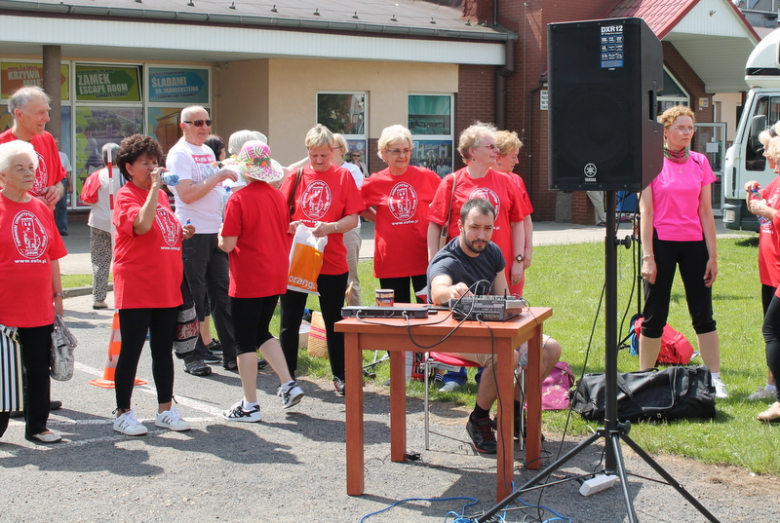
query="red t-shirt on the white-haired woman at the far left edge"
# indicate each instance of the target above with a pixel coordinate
(29, 241)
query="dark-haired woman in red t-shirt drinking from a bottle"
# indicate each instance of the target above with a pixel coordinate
(148, 274)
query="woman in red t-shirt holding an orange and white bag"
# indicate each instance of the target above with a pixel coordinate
(325, 198)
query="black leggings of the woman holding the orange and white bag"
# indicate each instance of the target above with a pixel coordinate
(331, 288)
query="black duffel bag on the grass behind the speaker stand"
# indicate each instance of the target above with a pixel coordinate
(671, 393)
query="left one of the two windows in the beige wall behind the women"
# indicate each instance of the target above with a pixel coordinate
(345, 113)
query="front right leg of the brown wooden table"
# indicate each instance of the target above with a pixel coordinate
(505, 436)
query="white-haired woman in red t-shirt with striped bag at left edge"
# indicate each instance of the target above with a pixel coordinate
(31, 290)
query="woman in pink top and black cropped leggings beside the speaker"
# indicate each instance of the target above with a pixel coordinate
(678, 228)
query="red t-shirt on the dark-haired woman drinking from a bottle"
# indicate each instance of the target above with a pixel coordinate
(148, 267)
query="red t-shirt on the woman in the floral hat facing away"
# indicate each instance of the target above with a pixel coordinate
(259, 264)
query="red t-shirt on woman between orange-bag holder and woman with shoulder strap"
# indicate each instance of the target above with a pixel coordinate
(402, 202)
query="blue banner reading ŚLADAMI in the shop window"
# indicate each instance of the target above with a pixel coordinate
(177, 85)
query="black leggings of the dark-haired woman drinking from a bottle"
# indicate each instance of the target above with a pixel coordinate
(133, 325)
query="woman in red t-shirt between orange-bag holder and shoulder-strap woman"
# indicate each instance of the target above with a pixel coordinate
(398, 198)
